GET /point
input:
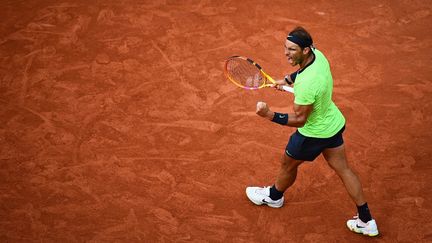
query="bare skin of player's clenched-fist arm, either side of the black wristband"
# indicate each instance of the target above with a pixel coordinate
(296, 119)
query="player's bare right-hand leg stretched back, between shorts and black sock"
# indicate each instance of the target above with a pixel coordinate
(337, 160)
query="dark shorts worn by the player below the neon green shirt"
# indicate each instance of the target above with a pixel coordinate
(307, 148)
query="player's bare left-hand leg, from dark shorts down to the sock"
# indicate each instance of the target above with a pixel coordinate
(287, 173)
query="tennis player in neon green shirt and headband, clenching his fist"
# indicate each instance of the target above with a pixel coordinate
(320, 126)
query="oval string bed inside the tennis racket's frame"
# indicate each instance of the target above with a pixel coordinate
(244, 73)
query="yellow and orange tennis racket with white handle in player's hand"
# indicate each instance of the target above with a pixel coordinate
(247, 74)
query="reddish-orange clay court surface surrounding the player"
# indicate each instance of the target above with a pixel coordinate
(118, 125)
